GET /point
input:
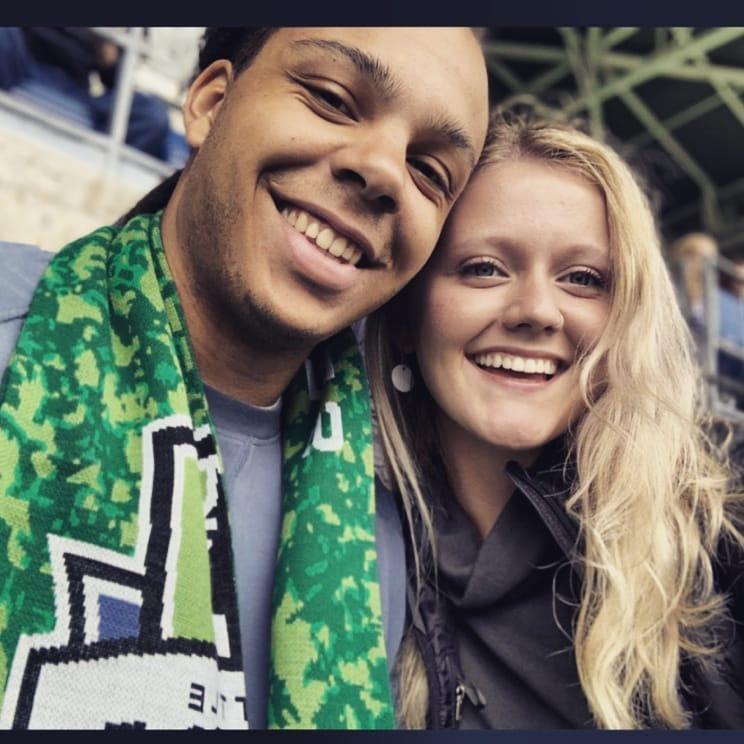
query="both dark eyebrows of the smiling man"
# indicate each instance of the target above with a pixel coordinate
(384, 80)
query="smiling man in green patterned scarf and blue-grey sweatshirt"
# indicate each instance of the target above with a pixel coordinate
(167, 562)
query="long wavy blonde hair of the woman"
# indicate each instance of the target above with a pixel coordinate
(652, 497)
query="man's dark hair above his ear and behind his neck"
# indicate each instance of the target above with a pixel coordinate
(240, 46)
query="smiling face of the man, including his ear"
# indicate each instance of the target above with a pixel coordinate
(325, 171)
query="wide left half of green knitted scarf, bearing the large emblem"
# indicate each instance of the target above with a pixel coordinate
(103, 361)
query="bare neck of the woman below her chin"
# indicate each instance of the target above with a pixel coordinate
(477, 472)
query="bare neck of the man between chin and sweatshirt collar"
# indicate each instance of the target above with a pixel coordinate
(227, 359)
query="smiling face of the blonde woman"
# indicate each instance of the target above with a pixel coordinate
(517, 288)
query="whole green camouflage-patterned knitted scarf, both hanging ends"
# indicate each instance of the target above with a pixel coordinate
(103, 359)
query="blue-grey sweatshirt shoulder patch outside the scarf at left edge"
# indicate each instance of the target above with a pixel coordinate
(21, 267)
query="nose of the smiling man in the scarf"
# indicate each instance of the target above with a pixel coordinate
(375, 166)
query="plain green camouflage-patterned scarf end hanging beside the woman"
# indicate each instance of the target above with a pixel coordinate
(328, 664)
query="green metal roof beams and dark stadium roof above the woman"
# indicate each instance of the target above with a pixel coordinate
(669, 98)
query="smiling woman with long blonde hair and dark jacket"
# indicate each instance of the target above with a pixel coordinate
(553, 462)
